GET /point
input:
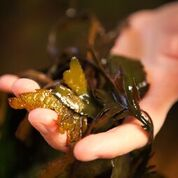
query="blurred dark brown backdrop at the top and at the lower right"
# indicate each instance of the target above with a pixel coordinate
(25, 26)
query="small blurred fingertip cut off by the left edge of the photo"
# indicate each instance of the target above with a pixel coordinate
(6, 82)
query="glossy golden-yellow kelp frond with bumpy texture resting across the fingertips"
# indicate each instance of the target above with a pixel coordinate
(69, 107)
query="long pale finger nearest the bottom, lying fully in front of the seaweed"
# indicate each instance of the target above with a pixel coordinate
(115, 142)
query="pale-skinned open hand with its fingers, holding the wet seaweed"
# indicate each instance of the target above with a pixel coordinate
(152, 36)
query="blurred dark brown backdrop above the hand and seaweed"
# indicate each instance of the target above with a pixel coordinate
(25, 26)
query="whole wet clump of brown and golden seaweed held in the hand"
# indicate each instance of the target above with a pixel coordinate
(90, 95)
